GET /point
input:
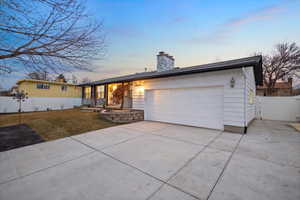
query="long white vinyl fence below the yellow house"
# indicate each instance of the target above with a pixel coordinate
(10, 105)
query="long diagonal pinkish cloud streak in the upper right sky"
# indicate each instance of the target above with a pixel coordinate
(234, 25)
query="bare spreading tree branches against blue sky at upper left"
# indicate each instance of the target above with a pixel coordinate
(56, 35)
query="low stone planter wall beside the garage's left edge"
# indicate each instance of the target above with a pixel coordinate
(123, 116)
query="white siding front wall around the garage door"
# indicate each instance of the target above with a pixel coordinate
(233, 97)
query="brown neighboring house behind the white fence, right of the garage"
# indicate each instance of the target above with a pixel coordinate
(280, 89)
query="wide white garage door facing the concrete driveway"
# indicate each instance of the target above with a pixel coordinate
(202, 107)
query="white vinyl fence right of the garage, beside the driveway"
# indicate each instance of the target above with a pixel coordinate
(278, 108)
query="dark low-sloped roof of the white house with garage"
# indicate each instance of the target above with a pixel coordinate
(255, 61)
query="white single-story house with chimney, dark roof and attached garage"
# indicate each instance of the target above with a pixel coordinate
(218, 95)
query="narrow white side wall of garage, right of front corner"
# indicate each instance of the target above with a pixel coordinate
(250, 94)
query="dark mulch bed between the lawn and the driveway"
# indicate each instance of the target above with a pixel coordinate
(16, 136)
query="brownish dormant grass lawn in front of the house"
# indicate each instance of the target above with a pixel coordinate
(52, 125)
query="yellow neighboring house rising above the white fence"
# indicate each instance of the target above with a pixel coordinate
(41, 88)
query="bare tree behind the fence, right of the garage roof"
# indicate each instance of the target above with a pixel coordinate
(282, 64)
